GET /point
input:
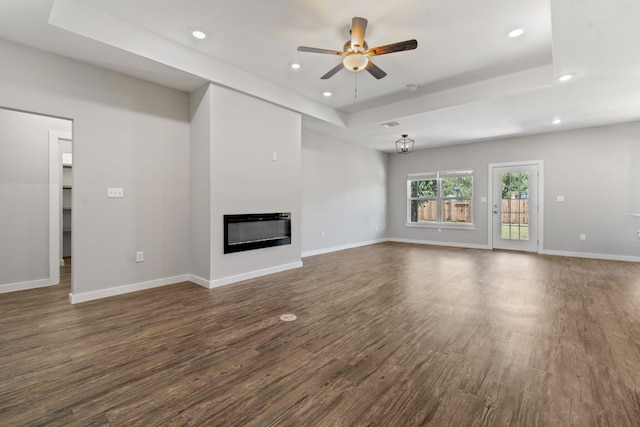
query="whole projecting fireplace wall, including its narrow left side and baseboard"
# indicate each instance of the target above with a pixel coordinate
(240, 168)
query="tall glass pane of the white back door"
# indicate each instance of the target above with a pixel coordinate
(515, 206)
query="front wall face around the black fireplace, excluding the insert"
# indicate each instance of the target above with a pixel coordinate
(245, 132)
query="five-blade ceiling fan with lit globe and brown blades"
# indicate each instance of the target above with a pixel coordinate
(356, 52)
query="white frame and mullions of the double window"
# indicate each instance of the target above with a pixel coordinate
(438, 176)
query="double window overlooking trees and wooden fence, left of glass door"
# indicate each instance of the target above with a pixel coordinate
(443, 198)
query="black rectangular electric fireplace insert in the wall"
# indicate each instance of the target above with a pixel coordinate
(254, 231)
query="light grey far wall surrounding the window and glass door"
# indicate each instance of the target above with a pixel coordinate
(596, 169)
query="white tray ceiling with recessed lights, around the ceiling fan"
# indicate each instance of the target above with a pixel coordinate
(474, 82)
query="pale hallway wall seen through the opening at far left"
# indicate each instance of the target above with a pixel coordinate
(24, 195)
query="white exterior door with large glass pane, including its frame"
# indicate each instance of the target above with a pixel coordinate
(515, 218)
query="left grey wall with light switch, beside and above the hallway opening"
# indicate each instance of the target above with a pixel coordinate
(127, 133)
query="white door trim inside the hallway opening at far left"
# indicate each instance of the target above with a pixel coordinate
(55, 183)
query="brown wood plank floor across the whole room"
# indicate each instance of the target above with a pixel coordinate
(387, 335)
